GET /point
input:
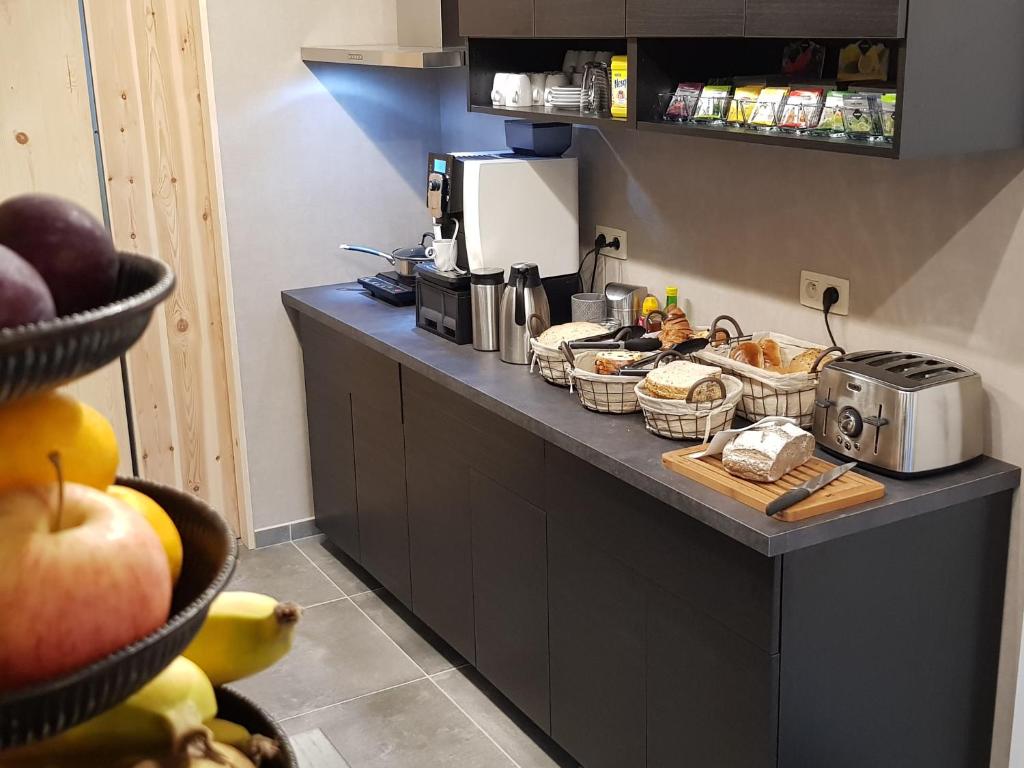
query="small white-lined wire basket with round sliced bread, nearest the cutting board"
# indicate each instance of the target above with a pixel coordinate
(682, 420)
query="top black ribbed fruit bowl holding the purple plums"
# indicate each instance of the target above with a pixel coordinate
(47, 355)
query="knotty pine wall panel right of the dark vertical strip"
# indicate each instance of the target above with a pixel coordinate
(150, 72)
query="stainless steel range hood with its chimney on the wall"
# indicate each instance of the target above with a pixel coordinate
(428, 39)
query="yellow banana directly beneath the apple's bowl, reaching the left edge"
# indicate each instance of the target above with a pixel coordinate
(159, 717)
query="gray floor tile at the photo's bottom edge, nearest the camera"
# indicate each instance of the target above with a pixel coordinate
(412, 727)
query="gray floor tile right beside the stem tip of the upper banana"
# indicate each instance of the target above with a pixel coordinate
(338, 654)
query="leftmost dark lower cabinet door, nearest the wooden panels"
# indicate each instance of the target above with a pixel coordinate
(326, 359)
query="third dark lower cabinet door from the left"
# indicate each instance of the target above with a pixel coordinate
(440, 522)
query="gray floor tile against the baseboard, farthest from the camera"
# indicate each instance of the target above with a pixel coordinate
(281, 571)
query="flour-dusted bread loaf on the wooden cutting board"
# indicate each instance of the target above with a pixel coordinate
(769, 454)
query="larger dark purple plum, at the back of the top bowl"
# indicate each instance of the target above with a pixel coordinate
(70, 248)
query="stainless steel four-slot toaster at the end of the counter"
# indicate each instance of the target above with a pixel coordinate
(903, 413)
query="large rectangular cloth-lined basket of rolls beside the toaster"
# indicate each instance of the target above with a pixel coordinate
(766, 394)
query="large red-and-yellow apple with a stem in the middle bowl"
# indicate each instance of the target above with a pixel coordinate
(78, 581)
